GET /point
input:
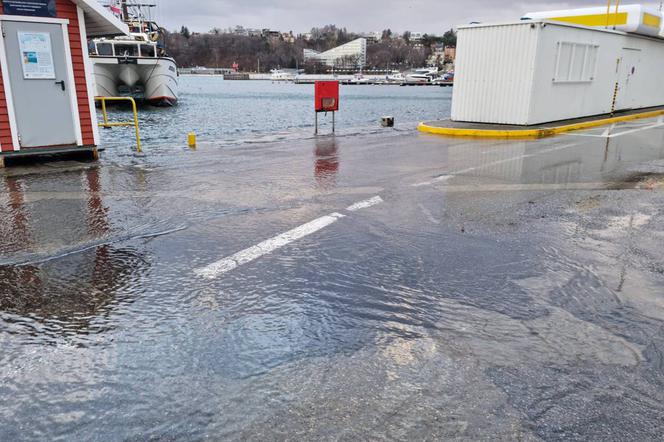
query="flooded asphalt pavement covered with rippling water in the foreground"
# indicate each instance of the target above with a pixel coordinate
(380, 287)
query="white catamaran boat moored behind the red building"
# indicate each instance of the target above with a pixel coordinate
(135, 66)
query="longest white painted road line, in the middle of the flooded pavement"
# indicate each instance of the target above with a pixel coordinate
(230, 263)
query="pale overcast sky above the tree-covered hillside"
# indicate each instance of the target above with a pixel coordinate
(432, 16)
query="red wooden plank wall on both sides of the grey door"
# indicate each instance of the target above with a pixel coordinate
(66, 9)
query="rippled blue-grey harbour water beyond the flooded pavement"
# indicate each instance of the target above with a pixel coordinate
(241, 112)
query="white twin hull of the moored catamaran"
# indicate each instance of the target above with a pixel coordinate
(150, 80)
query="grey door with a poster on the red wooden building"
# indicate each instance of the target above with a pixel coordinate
(37, 67)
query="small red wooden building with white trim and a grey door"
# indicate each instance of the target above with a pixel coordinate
(46, 82)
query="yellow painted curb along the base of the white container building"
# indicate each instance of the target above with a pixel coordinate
(533, 133)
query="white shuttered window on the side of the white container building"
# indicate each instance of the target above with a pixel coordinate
(576, 63)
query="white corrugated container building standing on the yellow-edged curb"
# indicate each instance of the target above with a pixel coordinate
(534, 72)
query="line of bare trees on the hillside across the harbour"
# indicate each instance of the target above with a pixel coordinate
(222, 49)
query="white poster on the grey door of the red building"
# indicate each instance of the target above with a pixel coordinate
(37, 55)
